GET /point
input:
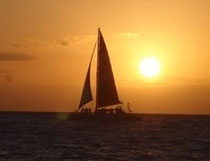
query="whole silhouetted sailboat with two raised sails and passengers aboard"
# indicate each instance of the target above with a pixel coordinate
(107, 103)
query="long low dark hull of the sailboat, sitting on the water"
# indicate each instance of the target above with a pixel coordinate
(105, 117)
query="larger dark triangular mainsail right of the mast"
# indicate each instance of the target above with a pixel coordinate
(106, 92)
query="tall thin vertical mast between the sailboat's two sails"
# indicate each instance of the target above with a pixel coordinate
(97, 70)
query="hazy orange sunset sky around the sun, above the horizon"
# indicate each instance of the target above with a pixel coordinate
(45, 48)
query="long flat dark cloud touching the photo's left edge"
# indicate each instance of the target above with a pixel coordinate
(15, 57)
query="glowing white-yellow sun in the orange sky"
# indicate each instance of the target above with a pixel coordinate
(149, 67)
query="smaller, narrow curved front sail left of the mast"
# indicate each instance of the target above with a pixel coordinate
(86, 92)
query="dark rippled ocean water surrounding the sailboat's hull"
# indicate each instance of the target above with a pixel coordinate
(51, 137)
